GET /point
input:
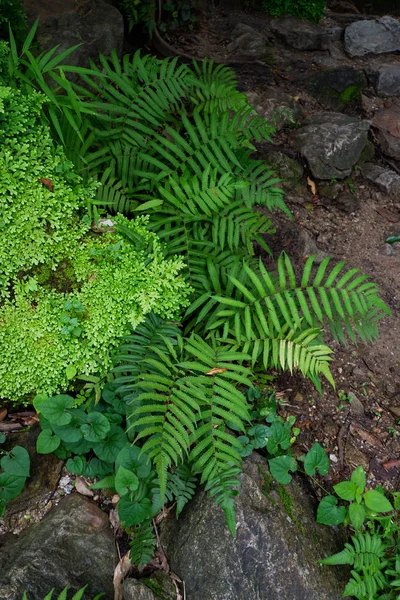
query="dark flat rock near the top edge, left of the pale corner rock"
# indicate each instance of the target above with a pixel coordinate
(300, 34)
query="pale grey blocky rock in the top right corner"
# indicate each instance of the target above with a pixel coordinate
(372, 37)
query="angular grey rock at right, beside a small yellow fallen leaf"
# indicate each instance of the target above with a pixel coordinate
(332, 143)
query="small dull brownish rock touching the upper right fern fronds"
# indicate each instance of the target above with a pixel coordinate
(278, 108)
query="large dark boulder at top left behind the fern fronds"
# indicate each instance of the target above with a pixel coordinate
(96, 25)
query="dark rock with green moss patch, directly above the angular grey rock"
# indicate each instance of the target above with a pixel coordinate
(338, 87)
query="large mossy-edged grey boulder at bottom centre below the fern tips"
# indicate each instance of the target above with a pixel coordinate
(274, 554)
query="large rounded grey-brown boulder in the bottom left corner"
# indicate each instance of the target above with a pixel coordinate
(73, 545)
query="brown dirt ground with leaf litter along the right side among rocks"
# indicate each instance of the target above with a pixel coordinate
(359, 422)
